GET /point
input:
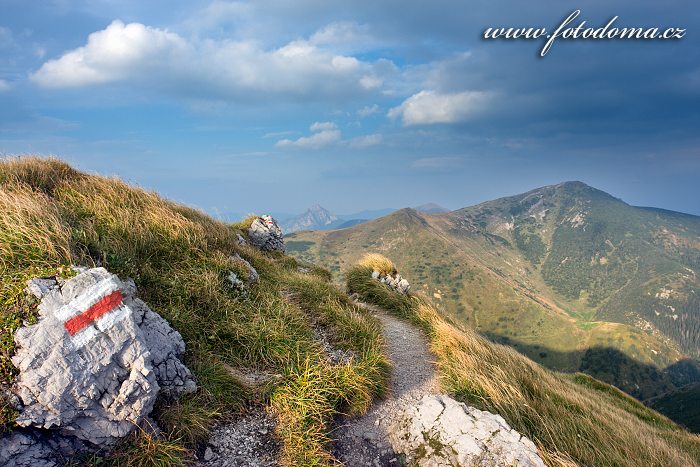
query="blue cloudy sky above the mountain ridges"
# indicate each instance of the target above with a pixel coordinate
(273, 106)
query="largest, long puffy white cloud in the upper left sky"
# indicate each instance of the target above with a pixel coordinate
(141, 54)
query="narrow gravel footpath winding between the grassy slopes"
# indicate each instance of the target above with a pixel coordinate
(363, 441)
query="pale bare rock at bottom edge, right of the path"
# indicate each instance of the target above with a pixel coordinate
(440, 431)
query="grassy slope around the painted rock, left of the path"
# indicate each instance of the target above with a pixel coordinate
(52, 216)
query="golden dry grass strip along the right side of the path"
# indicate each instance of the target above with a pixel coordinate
(574, 419)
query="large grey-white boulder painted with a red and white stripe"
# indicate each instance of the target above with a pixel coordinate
(95, 362)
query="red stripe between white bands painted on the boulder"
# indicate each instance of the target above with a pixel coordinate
(96, 310)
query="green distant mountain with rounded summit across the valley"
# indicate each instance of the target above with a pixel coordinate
(568, 275)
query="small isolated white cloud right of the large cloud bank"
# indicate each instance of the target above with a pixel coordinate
(428, 107)
